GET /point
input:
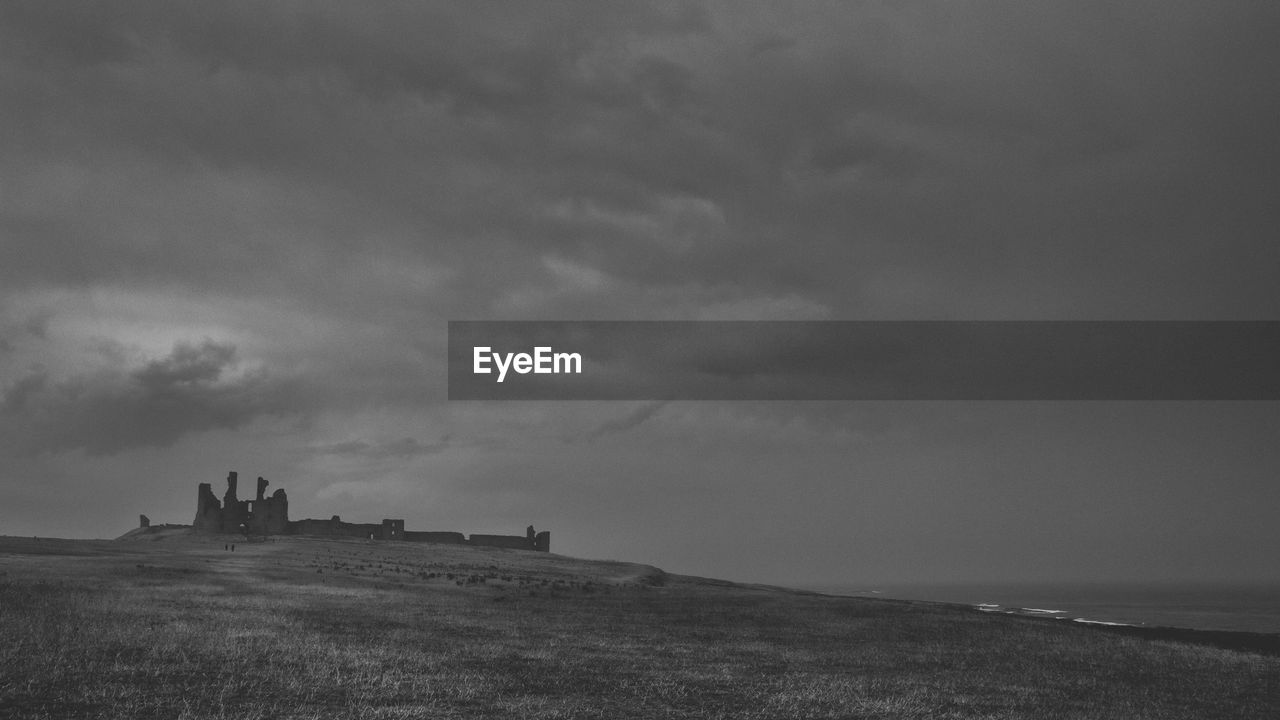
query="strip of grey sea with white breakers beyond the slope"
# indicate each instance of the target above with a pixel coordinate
(1204, 607)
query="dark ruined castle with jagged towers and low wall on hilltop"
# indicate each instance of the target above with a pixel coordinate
(271, 517)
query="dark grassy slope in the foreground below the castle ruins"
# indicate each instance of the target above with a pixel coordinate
(310, 628)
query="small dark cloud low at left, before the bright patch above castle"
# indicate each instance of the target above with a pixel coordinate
(190, 391)
